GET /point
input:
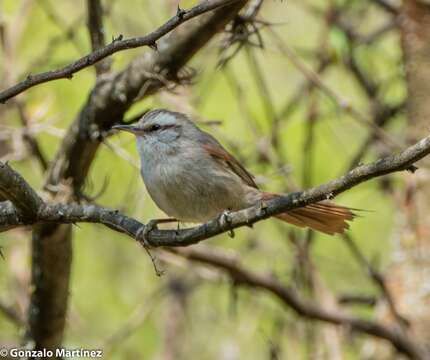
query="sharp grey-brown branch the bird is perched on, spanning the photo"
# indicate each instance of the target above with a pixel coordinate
(73, 213)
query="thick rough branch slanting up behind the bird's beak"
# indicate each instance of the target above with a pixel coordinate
(116, 93)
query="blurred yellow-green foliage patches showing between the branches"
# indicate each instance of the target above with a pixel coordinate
(112, 275)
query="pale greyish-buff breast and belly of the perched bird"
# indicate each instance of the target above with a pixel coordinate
(193, 190)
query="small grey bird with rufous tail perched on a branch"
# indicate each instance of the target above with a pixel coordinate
(192, 178)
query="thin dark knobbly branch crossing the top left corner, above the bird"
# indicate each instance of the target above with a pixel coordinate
(115, 46)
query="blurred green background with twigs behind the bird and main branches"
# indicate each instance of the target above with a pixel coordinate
(300, 91)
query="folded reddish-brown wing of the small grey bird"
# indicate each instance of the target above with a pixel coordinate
(215, 149)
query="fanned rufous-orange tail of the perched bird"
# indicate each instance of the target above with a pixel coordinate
(324, 216)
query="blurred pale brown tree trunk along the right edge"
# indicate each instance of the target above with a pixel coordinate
(410, 269)
